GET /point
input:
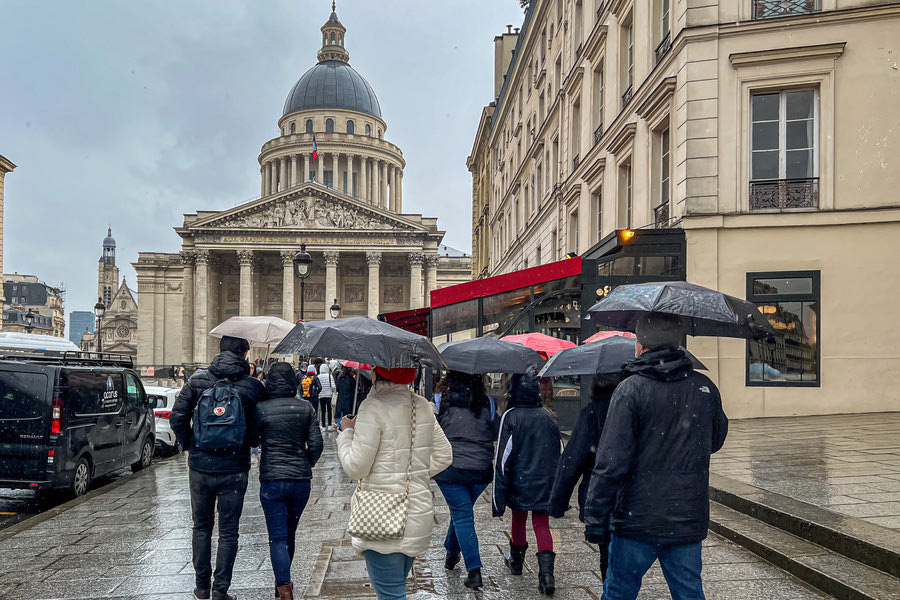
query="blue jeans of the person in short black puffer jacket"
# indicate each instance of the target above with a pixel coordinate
(283, 501)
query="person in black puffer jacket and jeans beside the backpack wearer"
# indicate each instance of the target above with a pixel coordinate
(291, 446)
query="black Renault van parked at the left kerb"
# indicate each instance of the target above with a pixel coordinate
(69, 417)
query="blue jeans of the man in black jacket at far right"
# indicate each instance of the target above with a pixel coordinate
(629, 560)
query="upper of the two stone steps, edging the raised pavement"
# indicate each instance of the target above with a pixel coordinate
(872, 545)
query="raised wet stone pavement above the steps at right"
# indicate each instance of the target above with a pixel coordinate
(848, 464)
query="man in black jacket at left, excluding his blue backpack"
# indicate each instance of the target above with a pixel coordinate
(218, 476)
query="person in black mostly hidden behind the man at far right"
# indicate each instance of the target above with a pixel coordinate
(577, 461)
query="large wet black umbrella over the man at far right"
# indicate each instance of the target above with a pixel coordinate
(702, 311)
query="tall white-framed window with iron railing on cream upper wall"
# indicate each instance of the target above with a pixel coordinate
(784, 150)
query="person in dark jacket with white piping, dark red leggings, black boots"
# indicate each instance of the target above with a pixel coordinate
(528, 450)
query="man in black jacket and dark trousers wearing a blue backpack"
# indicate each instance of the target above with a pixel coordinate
(213, 417)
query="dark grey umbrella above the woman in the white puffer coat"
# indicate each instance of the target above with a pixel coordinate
(364, 340)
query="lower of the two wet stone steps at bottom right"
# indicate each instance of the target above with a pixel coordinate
(827, 571)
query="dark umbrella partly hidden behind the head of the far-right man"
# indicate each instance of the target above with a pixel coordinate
(606, 357)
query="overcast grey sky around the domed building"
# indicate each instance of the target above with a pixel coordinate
(130, 114)
